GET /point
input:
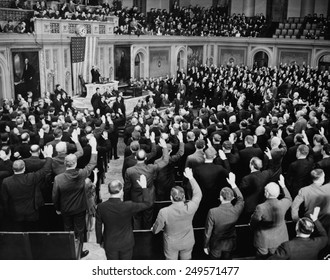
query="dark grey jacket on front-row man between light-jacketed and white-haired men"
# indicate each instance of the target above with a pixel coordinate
(220, 232)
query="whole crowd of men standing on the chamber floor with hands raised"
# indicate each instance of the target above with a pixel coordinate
(257, 139)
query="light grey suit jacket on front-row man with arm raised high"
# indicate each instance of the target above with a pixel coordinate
(176, 221)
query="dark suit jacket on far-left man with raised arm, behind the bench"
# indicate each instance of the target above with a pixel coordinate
(21, 197)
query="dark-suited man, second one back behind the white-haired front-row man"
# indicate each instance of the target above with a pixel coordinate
(246, 155)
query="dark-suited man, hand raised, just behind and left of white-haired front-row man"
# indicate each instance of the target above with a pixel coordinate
(252, 186)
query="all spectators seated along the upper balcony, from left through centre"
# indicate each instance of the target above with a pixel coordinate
(186, 21)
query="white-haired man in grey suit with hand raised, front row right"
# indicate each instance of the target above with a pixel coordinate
(268, 220)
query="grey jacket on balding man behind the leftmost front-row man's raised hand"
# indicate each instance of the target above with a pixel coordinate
(132, 190)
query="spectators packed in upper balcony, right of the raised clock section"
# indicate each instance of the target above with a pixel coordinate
(189, 21)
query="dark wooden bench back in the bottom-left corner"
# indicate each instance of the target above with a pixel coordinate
(39, 246)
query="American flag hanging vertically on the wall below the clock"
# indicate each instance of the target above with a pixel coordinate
(83, 57)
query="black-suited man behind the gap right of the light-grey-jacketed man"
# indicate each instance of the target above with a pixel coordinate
(211, 179)
